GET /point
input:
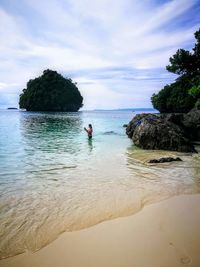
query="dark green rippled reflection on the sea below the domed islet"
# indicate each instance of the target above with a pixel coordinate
(54, 132)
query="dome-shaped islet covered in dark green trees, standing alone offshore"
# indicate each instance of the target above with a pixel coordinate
(51, 92)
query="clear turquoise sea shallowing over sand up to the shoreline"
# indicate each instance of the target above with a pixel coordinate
(53, 179)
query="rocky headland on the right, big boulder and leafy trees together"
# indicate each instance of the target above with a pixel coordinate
(177, 125)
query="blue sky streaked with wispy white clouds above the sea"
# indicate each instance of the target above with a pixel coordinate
(116, 50)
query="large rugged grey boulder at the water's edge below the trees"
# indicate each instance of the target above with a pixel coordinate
(159, 131)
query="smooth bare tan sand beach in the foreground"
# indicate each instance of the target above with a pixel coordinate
(160, 235)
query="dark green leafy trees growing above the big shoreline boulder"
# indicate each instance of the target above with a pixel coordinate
(184, 93)
